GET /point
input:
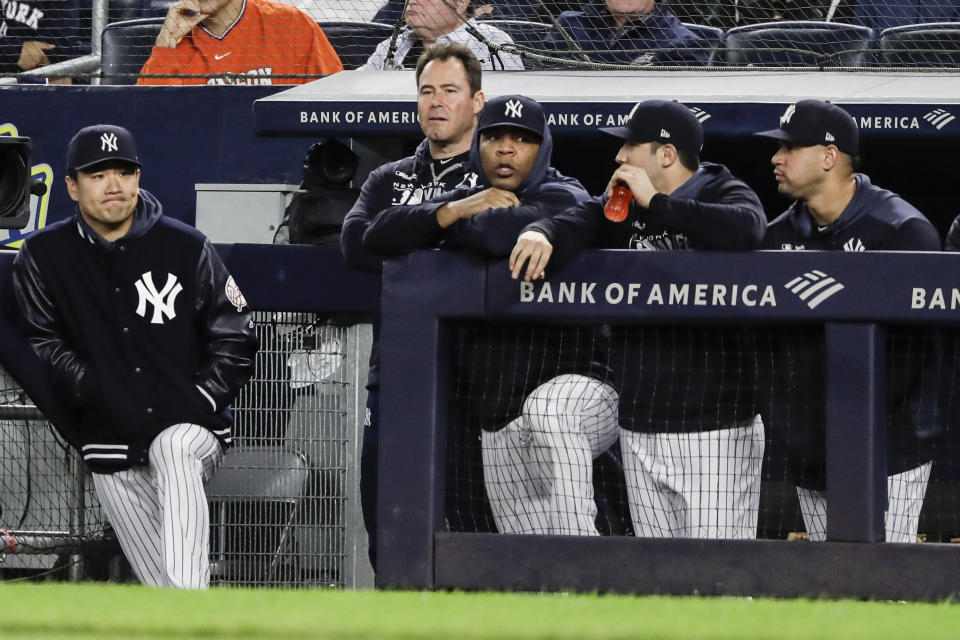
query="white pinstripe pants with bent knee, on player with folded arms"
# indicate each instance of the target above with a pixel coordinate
(538, 469)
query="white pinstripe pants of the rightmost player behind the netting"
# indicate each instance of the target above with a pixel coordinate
(905, 493)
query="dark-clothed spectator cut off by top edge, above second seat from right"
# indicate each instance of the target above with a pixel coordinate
(735, 13)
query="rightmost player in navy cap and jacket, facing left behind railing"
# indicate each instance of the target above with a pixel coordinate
(838, 209)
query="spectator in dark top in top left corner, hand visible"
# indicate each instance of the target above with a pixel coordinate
(37, 34)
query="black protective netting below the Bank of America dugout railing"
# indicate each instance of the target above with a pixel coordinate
(718, 433)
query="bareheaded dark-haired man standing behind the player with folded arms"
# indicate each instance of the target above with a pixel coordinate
(449, 98)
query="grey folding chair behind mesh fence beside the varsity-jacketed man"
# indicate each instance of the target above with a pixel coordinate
(255, 503)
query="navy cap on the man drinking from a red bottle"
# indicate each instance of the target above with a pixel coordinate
(663, 121)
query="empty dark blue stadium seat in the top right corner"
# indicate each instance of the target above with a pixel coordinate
(935, 44)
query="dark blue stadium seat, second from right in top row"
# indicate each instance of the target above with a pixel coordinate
(799, 43)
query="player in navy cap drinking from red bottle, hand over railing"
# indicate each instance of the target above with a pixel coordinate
(691, 438)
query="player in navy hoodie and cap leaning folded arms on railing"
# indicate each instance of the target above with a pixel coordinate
(540, 394)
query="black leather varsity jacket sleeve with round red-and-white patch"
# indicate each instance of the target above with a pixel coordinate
(225, 320)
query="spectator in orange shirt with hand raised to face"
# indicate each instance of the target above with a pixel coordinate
(238, 42)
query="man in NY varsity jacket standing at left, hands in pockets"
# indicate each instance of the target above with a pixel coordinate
(148, 337)
